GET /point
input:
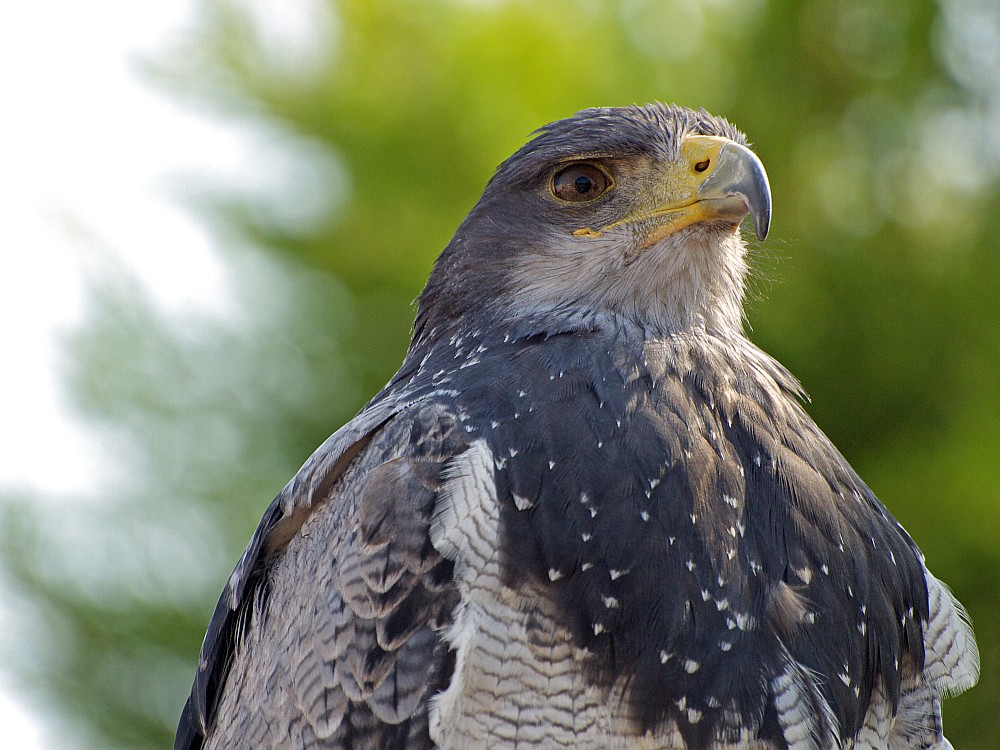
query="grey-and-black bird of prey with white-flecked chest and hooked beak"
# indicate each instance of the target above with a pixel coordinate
(587, 512)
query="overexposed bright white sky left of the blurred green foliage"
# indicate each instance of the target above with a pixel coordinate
(86, 150)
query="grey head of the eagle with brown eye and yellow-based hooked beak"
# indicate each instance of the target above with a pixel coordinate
(633, 211)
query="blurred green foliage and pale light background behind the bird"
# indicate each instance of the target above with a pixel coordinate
(373, 125)
